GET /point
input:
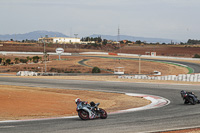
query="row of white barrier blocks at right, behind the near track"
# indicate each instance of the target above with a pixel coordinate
(180, 77)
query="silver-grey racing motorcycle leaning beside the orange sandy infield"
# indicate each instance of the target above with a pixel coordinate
(86, 111)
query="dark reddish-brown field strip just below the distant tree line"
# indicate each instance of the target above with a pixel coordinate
(161, 50)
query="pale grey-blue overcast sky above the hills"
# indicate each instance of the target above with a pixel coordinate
(173, 19)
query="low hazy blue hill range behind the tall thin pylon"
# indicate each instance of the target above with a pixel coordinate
(133, 38)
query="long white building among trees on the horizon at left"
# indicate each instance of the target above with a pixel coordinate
(60, 40)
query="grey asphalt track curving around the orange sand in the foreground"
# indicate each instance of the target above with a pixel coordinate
(176, 115)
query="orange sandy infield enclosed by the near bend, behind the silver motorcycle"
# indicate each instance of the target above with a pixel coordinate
(19, 102)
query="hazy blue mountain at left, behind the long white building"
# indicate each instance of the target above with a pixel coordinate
(31, 35)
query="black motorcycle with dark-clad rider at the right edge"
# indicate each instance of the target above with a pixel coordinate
(189, 97)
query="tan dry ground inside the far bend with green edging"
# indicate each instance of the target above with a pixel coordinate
(132, 66)
